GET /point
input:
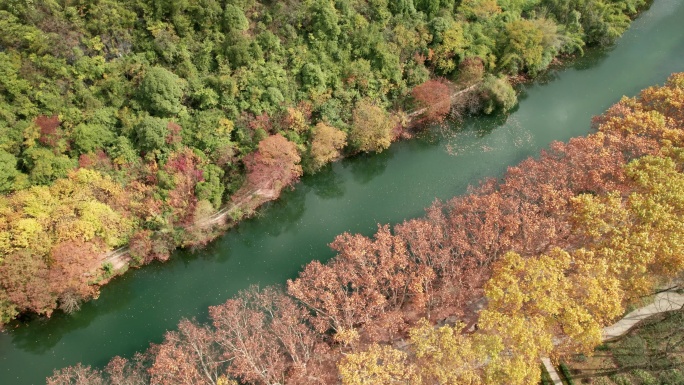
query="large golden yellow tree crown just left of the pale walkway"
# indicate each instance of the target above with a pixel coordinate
(536, 309)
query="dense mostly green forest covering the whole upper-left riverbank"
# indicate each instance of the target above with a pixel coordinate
(128, 122)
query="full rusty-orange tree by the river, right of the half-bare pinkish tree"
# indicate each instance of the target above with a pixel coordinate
(363, 281)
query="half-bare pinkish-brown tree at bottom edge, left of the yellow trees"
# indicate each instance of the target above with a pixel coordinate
(264, 336)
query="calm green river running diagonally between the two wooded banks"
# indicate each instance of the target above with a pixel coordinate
(353, 195)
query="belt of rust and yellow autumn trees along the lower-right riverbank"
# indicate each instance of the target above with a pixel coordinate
(479, 290)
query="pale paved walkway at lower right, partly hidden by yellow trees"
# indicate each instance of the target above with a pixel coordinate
(663, 302)
